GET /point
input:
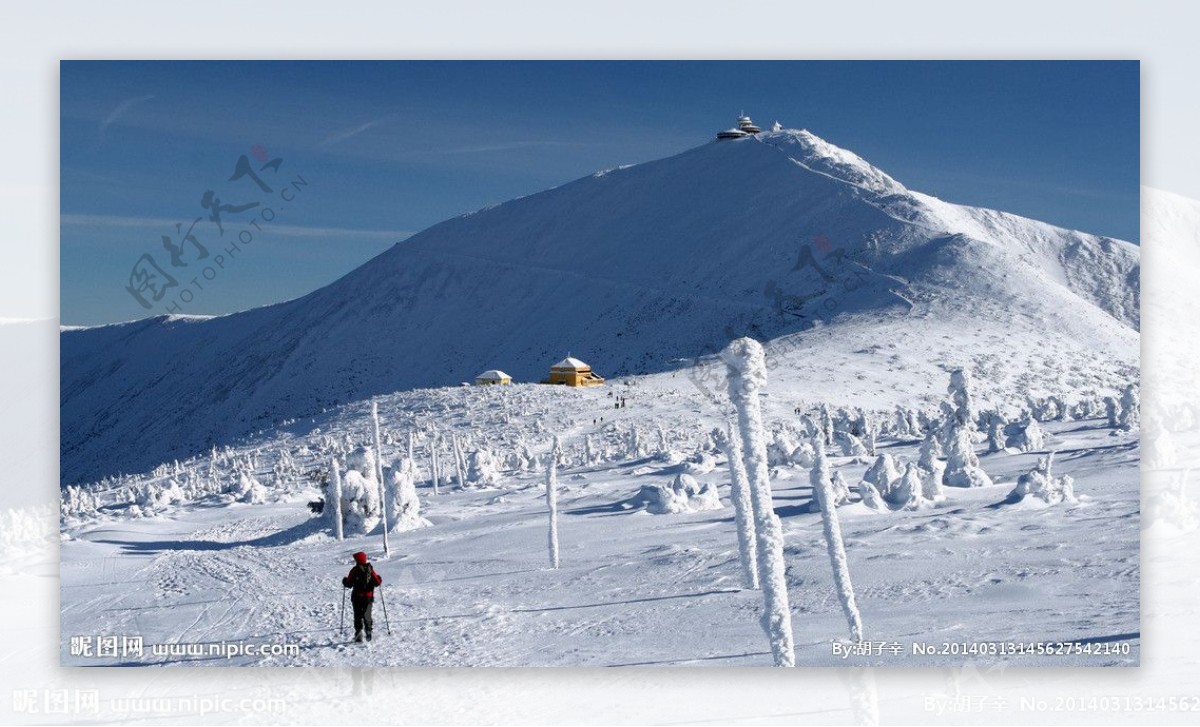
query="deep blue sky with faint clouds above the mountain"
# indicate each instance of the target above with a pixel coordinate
(388, 149)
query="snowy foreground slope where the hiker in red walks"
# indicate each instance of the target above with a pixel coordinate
(634, 588)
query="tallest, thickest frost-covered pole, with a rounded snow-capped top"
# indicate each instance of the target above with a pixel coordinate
(747, 377)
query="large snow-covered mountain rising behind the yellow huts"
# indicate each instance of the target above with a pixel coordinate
(637, 271)
